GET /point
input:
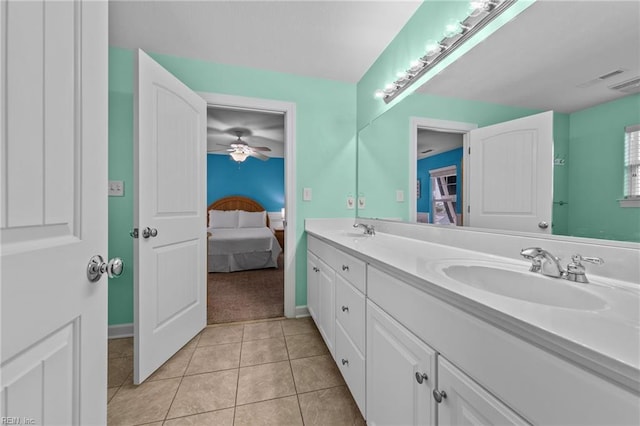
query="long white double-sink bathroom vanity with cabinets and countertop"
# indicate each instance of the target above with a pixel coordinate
(428, 331)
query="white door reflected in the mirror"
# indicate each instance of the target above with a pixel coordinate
(511, 175)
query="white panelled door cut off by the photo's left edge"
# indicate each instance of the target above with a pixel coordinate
(53, 219)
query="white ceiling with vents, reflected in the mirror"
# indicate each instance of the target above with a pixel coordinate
(539, 59)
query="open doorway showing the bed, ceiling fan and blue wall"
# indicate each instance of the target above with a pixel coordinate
(249, 142)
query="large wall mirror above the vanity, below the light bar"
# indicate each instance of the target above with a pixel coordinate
(580, 60)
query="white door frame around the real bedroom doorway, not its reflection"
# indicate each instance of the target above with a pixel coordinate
(289, 110)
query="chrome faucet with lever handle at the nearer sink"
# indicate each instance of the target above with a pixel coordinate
(545, 263)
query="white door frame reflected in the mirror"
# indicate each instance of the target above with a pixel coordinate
(438, 126)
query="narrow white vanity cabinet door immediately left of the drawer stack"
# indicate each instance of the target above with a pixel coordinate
(326, 302)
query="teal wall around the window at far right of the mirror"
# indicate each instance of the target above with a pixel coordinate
(595, 171)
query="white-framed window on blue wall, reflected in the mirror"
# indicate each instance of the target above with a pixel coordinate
(444, 190)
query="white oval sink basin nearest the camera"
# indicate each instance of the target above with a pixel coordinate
(504, 280)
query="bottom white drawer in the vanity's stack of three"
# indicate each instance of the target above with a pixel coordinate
(351, 364)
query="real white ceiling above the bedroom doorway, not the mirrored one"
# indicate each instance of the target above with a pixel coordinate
(337, 40)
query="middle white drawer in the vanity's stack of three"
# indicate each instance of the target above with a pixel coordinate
(350, 312)
